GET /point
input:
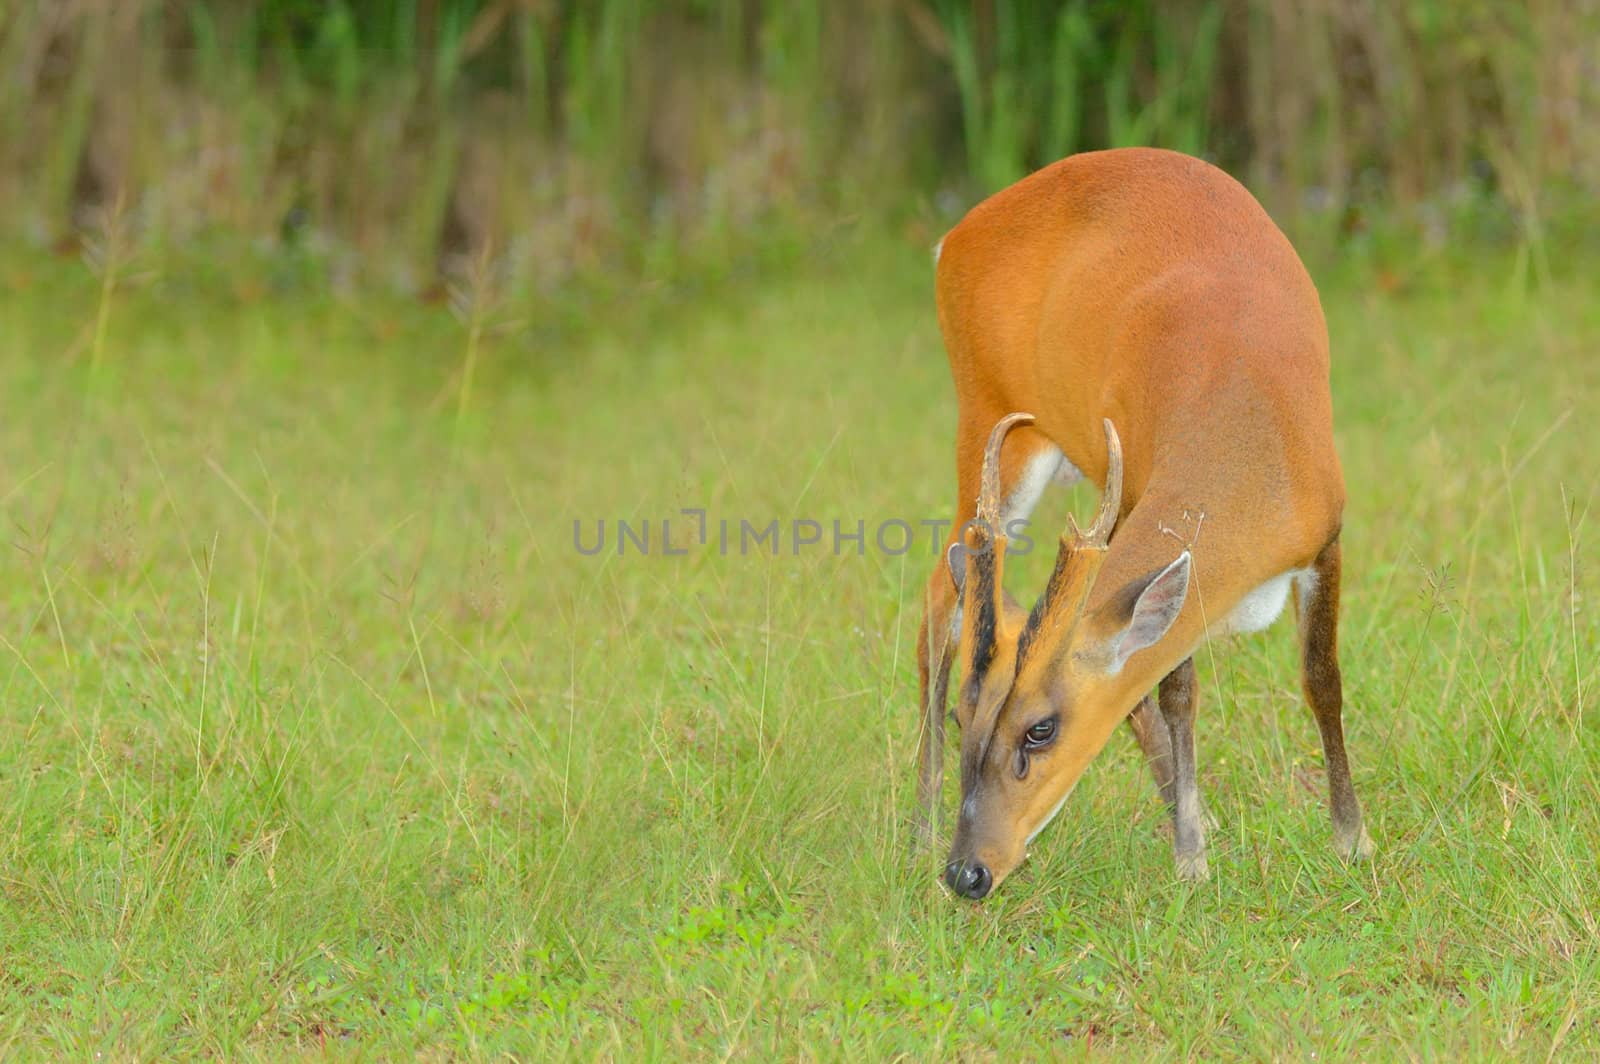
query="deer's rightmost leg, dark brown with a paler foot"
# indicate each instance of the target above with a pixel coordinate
(1318, 604)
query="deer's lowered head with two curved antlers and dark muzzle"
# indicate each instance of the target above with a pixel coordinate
(1039, 694)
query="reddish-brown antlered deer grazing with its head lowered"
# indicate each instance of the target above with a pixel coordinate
(1137, 319)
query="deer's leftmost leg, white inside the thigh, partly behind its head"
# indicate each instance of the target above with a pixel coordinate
(1028, 465)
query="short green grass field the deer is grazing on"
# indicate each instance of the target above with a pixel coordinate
(319, 732)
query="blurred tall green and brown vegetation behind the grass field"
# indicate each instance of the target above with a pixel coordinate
(406, 142)
